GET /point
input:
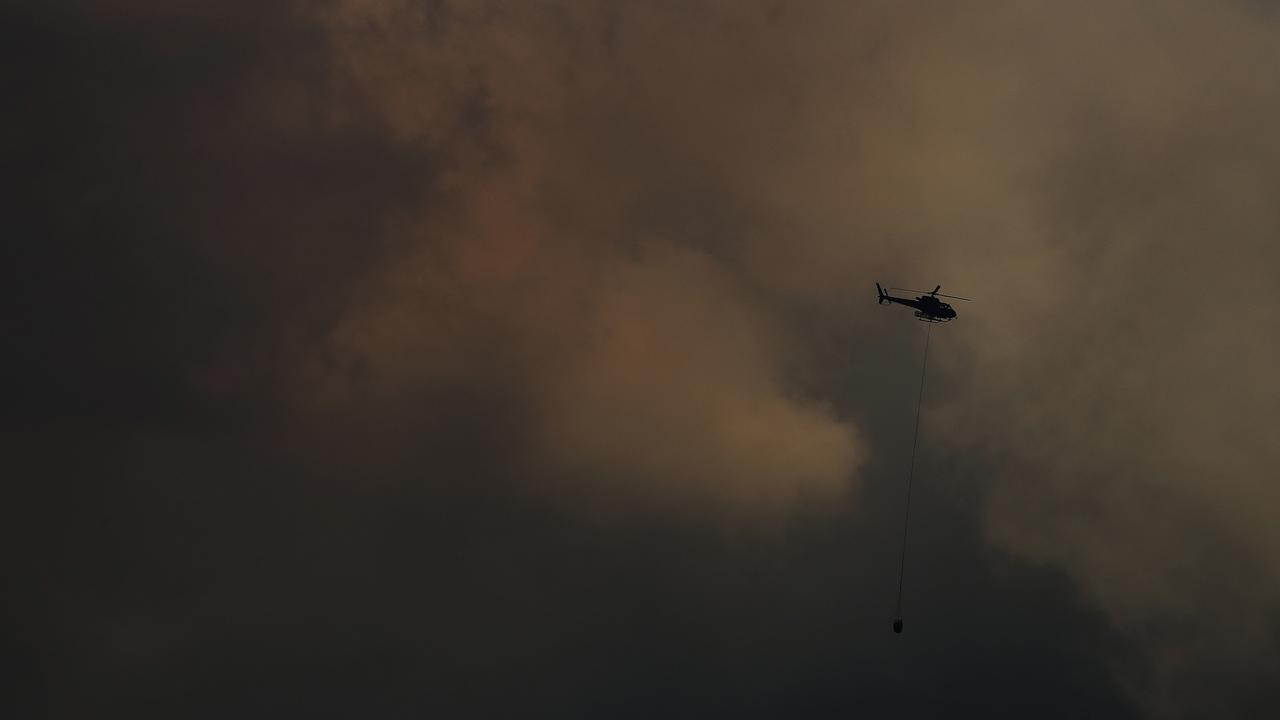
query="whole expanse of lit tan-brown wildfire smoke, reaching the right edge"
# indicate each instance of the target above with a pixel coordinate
(1099, 179)
